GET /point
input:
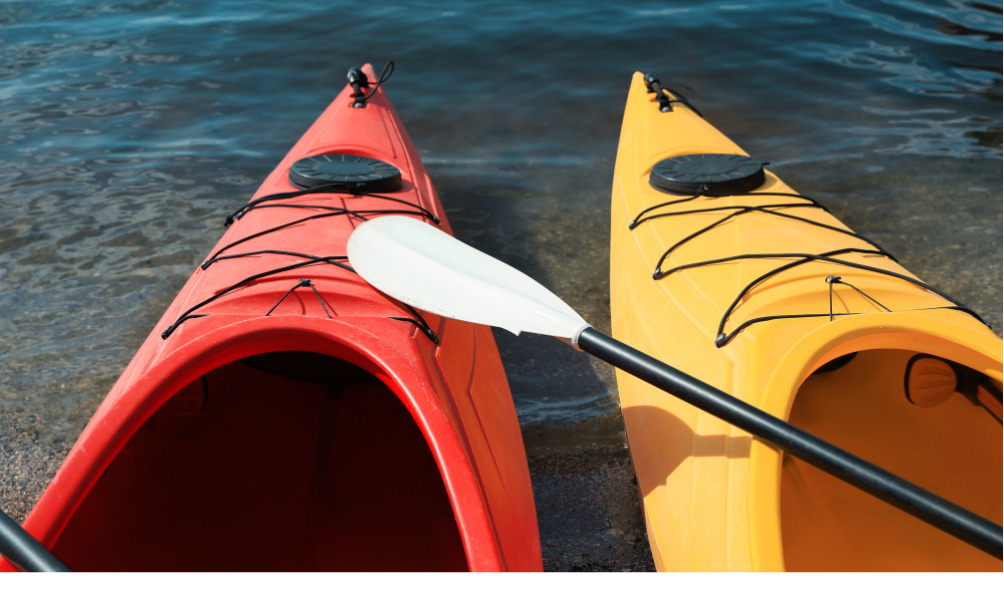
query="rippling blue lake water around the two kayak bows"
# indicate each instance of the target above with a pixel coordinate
(127, 129)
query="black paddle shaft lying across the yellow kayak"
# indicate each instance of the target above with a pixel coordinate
(963, 524)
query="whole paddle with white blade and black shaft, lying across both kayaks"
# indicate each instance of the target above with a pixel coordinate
(429, 269)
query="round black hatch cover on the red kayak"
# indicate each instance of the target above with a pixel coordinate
(358, 172)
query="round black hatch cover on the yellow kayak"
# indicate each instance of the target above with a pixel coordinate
(707, 174)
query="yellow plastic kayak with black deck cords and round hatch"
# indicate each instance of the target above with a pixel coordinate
(723, 271)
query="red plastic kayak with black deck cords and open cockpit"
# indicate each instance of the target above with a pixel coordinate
(285, 416)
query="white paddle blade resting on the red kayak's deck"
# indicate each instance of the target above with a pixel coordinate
(431, 270)
